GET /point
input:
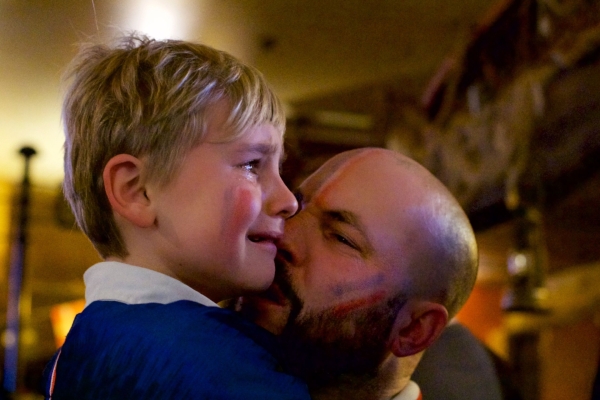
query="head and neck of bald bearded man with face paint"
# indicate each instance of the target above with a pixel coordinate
(370, 270)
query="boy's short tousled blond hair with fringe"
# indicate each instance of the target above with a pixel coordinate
(149, 99)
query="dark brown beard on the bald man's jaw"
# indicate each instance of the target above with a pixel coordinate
(324, 348)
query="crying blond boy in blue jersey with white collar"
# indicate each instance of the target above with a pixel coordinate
(172, 158)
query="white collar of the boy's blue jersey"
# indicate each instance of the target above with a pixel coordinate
(129, 284)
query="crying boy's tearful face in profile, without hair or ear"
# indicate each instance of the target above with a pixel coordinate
(218, 220)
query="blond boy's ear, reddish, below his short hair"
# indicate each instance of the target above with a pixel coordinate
(125, 189)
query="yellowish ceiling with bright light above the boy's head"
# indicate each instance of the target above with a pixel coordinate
(305, 48)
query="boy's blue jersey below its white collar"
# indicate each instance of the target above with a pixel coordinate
(180, 350)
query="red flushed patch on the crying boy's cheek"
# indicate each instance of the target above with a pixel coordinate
(241, 208)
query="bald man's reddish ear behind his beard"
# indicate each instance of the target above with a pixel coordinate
(418, 324)
